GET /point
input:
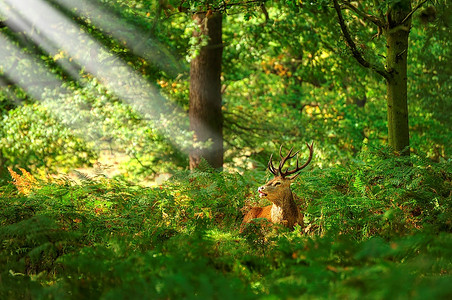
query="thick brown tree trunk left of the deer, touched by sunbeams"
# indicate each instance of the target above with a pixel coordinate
(206, 120)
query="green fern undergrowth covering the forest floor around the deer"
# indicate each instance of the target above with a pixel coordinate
(379, 228)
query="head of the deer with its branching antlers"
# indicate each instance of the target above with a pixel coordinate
(277, 190)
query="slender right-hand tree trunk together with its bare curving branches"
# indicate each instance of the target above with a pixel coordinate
(396, 29)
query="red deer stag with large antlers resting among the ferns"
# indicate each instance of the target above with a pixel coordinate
(283, 209)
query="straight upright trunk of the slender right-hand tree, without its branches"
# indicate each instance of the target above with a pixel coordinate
(396, 65)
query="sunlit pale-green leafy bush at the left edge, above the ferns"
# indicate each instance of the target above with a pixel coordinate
(30, 136)
